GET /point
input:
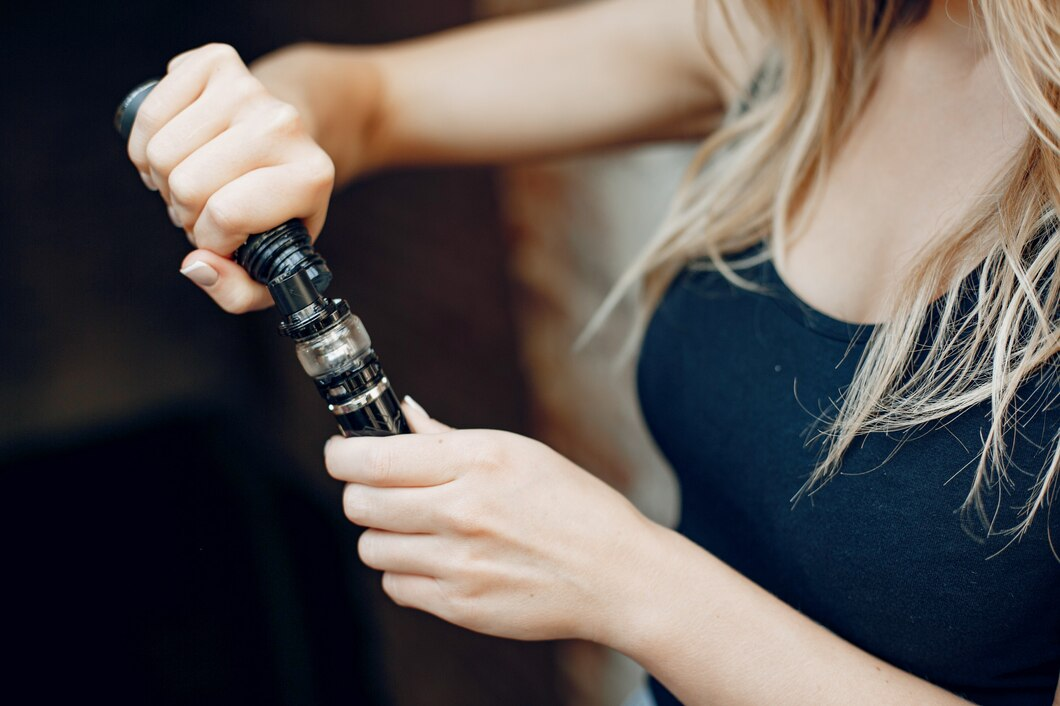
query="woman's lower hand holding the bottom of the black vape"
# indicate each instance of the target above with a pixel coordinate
(490, 531)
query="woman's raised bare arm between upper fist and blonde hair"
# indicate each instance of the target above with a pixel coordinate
(551, 83)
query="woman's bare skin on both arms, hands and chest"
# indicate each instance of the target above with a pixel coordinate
(496, 532)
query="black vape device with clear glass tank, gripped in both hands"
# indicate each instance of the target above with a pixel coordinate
(331, 343)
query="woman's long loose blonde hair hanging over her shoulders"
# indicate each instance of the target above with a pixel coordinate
(751, 178)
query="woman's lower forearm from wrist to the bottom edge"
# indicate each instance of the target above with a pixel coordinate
(713, 637)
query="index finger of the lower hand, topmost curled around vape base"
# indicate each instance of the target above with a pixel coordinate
(408, 461)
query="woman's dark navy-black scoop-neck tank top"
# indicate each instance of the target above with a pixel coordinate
(731, 382)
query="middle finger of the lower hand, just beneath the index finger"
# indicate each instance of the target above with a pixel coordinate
(410, 510)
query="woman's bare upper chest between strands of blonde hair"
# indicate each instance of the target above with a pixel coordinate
(929, 148)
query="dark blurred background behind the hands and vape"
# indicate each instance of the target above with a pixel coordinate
(169, 534)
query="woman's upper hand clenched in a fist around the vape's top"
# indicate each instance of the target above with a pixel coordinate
(229, 160)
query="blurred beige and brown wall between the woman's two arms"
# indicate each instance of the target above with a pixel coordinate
(574, 226)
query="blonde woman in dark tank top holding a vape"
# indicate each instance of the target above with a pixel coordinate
(868, 508)
